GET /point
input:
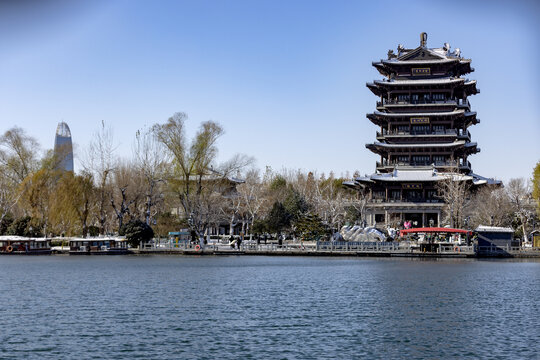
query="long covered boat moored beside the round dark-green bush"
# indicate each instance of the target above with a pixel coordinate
(98, 246)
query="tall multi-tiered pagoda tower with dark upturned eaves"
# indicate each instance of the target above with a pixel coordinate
(423, 115)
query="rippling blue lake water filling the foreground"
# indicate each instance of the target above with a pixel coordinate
(169, 307)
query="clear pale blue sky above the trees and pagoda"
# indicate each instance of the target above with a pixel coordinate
(286, 79)
